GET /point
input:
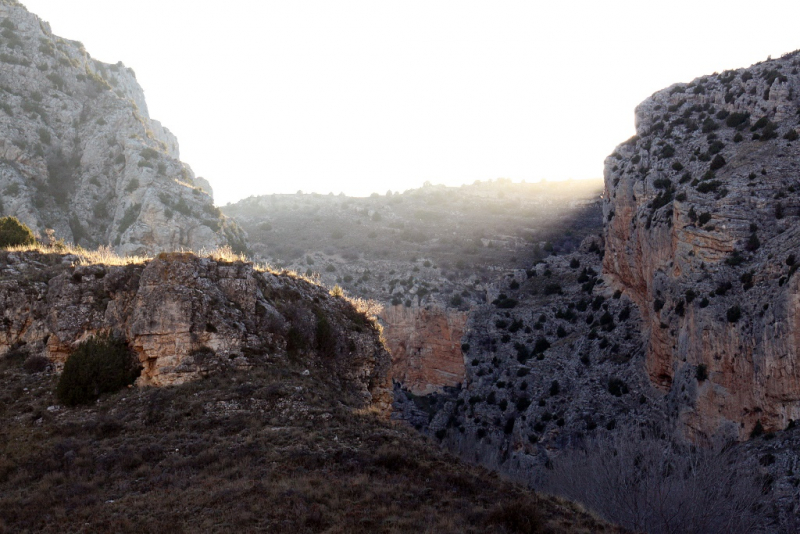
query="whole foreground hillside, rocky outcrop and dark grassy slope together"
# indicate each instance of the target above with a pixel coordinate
(279, 437)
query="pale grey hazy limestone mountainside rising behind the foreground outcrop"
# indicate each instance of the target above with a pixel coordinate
(80, 154)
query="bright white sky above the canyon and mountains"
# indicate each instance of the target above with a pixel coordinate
(273, 96)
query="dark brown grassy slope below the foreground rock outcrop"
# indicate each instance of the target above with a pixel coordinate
(270, 450)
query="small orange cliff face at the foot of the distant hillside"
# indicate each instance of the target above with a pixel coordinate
(425, 344)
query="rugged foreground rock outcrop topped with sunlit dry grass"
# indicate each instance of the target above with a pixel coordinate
(187, 316)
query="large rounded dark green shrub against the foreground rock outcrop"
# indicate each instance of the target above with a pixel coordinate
(101, 364)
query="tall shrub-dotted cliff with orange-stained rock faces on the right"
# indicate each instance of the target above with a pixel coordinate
(701, 210)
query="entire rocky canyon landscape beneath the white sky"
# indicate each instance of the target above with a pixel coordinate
(522, 326)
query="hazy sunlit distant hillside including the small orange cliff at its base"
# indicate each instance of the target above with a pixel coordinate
(428, 255)
